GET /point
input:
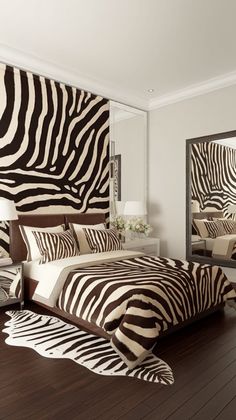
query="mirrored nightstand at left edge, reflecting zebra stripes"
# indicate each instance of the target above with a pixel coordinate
(11, 284)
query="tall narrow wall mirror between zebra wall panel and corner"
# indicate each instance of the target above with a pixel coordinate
(128, 143)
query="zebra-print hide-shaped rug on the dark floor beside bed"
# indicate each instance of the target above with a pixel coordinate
(51, 337)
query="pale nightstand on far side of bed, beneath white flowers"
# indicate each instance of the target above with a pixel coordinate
(149, 246)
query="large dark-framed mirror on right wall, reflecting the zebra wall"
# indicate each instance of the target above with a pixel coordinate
(211, 199)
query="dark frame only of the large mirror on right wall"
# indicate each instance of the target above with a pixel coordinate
(189, 255)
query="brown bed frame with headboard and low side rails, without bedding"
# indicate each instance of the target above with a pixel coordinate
(18, 253)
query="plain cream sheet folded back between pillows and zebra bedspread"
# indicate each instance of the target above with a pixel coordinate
(52, 276)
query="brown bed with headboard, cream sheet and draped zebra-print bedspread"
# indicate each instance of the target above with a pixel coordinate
(128, 297)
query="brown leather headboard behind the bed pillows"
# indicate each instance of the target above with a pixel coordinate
(18, 250)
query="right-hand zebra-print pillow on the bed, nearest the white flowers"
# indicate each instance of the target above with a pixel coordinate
(102, 240)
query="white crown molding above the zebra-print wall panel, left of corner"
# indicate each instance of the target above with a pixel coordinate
(36, 65)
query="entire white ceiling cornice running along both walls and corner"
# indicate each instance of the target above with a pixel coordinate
(36, 65)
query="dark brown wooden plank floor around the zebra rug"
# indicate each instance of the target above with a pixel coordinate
(203, 358)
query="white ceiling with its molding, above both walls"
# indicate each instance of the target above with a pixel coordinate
(121, 48)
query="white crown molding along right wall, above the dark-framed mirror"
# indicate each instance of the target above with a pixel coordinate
(191, 91)
